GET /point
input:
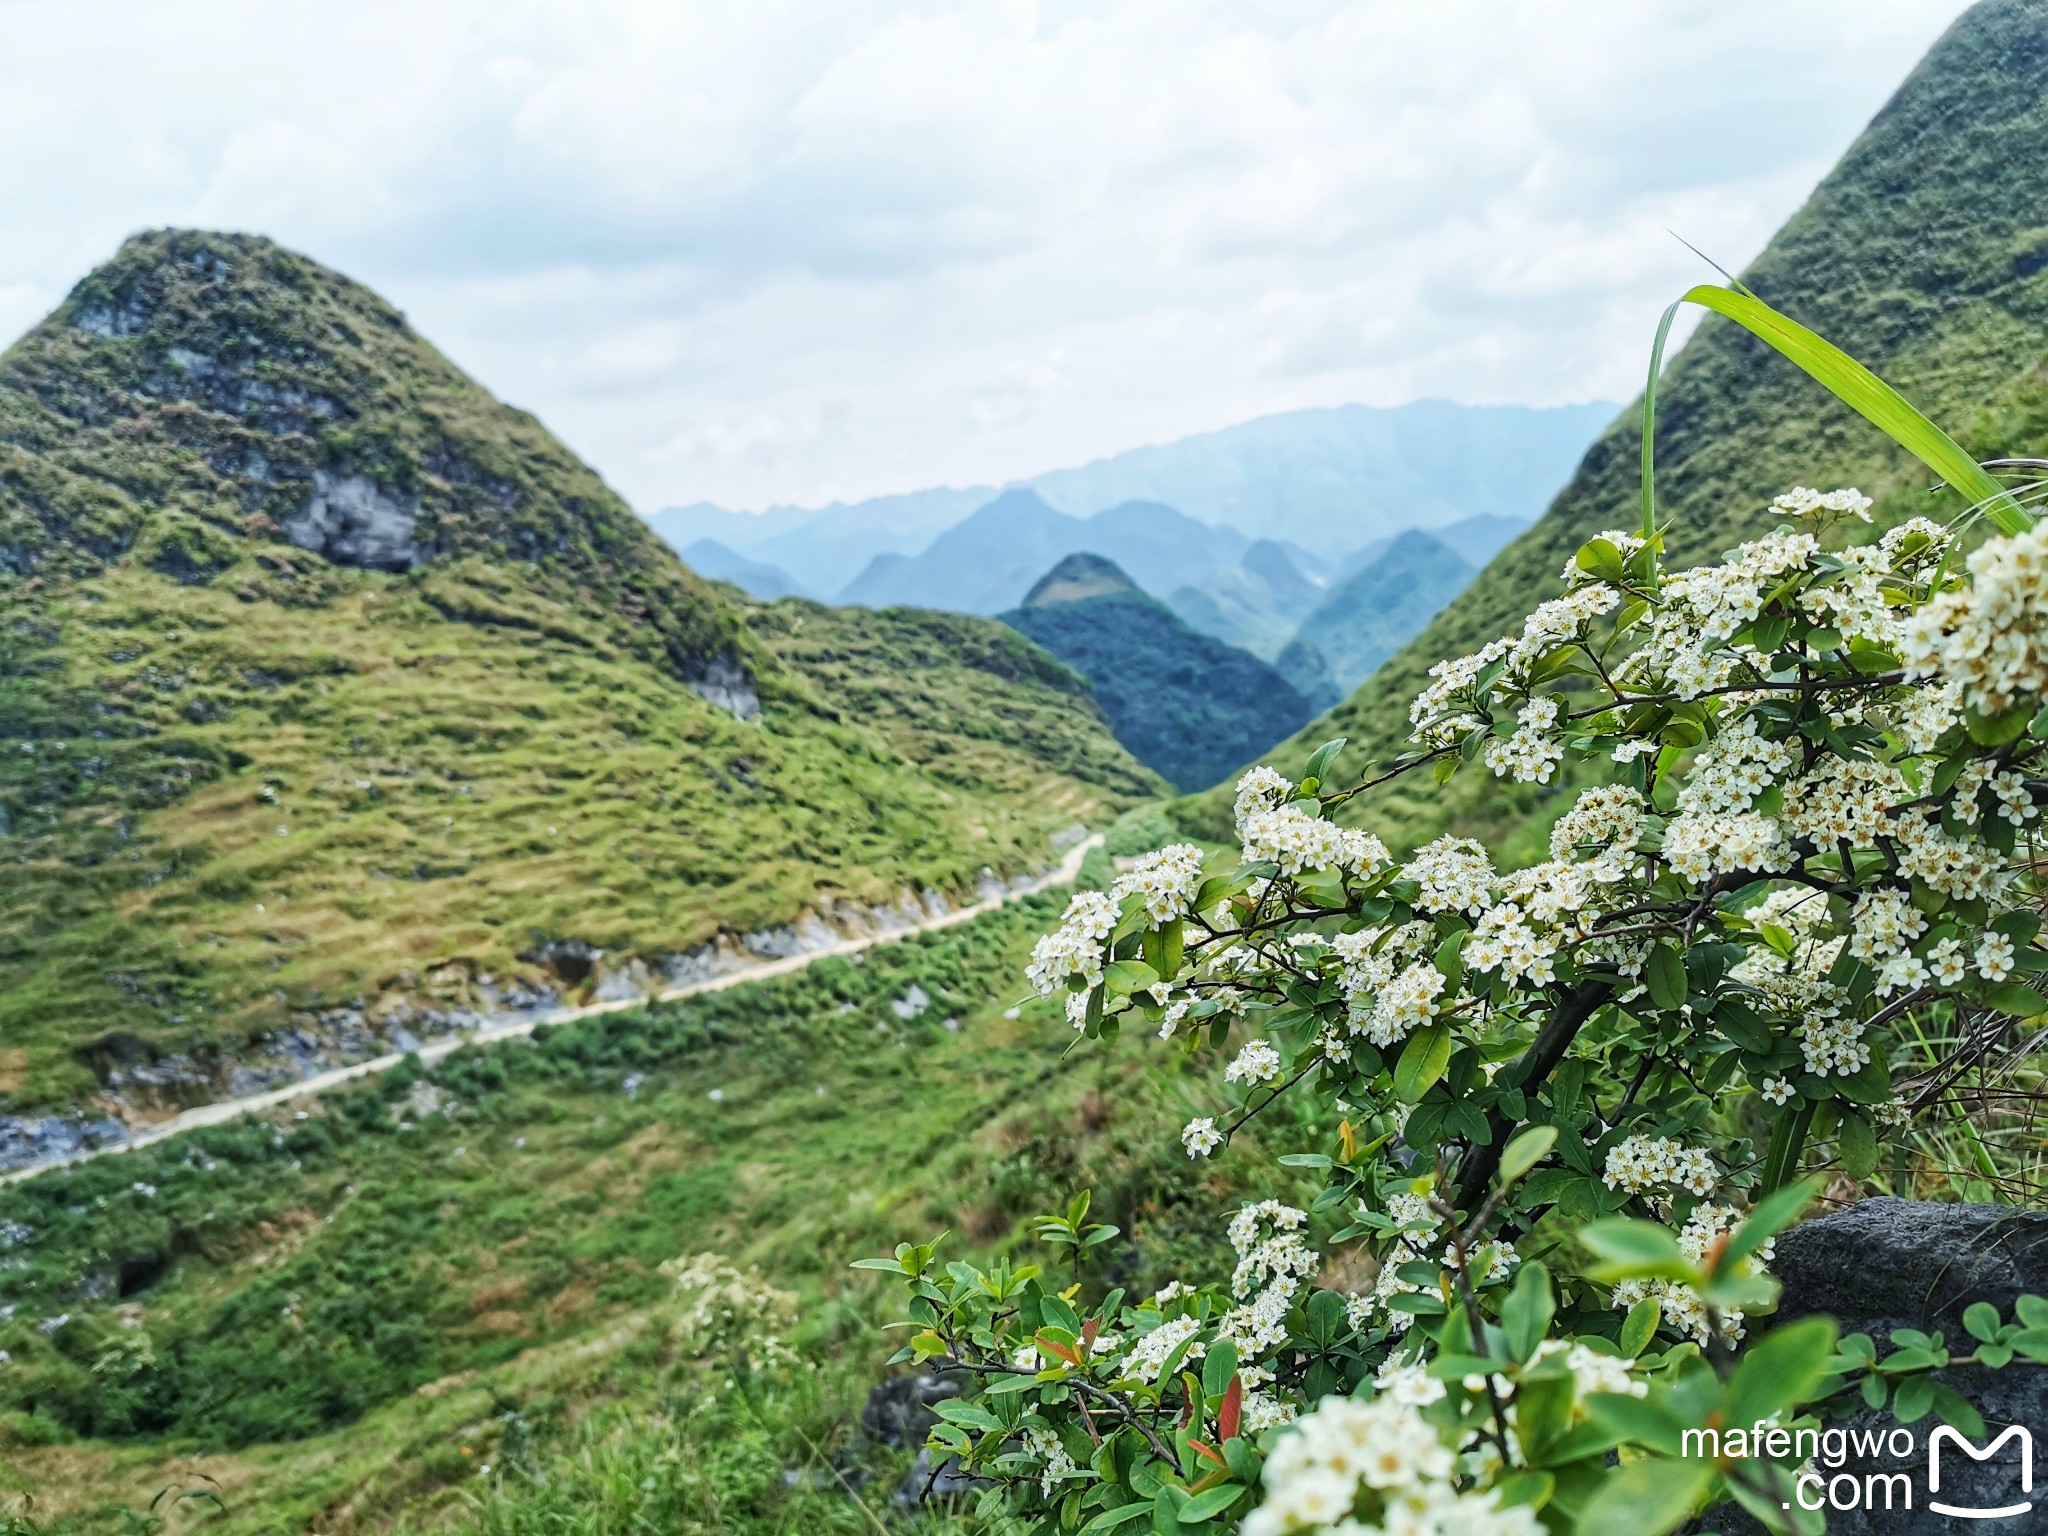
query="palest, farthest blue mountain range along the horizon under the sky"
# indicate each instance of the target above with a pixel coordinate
(1328, 480)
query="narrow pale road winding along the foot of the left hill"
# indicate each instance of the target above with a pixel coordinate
(232, 1109)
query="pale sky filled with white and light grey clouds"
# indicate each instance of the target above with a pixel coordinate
(761, 251)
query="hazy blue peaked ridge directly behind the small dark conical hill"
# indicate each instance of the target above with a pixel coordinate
(990, 562)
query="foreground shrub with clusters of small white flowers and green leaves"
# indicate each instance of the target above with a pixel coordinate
(1572, 1101)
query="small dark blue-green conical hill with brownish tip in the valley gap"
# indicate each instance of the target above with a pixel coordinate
(1187, 706)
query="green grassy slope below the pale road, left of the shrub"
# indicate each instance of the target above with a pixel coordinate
(347, 1318)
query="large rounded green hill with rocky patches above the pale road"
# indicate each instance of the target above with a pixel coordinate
(335, 691)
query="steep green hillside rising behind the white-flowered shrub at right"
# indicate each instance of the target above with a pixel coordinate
(1924, 255)
